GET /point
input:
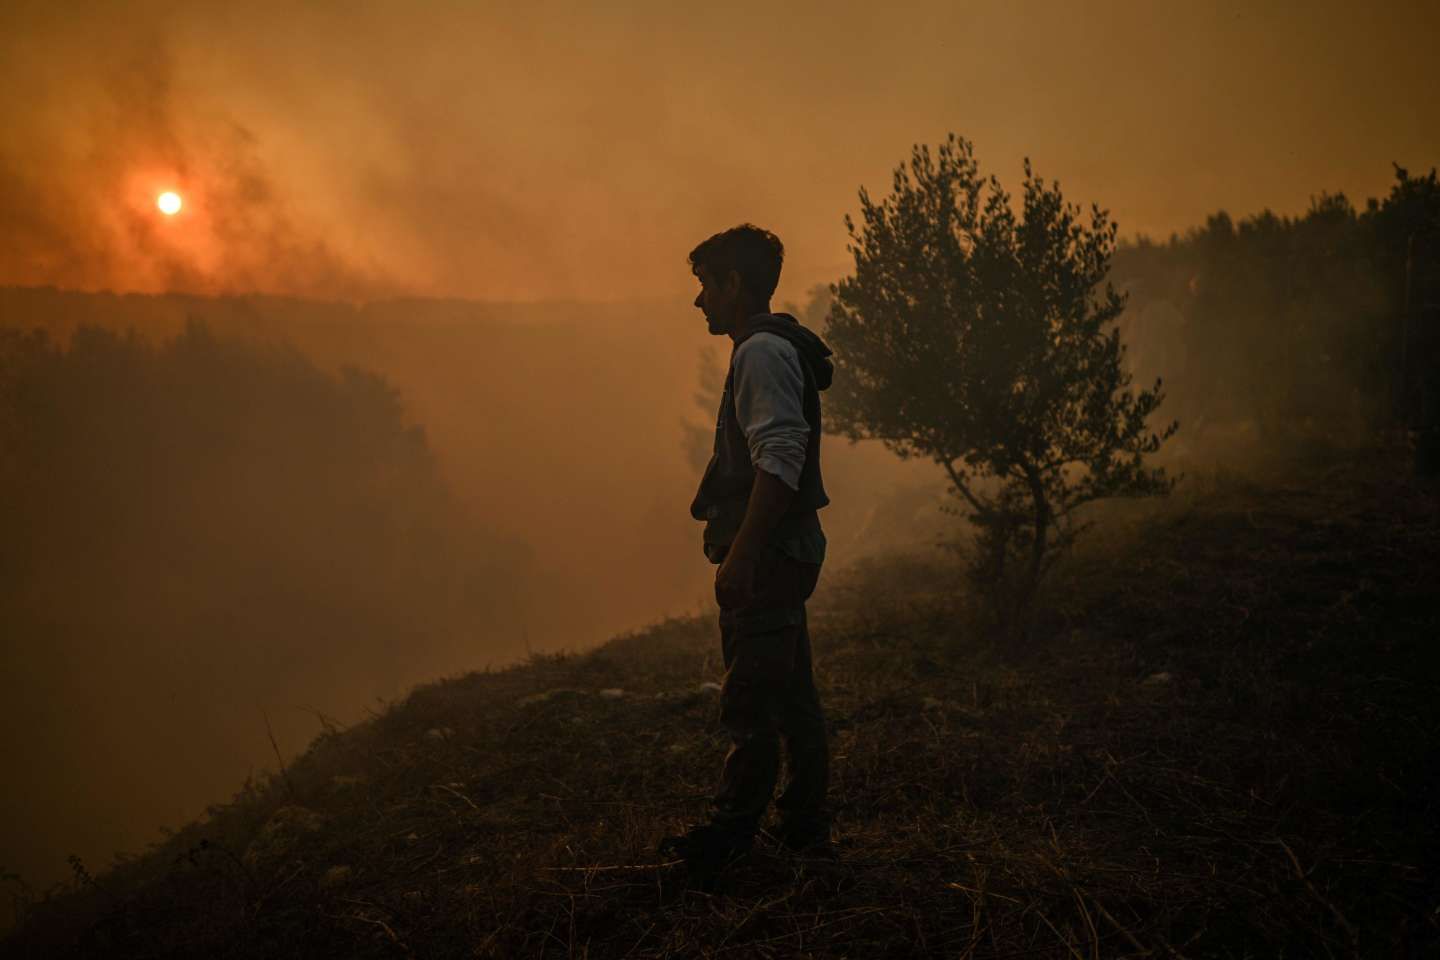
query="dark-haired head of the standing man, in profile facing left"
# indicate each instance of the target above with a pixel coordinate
(738, 273)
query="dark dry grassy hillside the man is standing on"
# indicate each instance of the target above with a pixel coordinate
(1223, 746)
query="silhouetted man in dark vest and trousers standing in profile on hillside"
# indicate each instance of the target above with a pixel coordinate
(760, 500)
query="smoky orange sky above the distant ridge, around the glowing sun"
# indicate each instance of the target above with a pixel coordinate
(539, 150)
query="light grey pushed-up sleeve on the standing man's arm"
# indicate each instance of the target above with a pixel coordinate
(770, 392)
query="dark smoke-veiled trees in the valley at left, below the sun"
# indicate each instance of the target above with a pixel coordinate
(201, 538)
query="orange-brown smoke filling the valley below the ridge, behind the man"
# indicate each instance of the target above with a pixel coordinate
(215, 538)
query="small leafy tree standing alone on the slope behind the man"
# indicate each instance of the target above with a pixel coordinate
(983, 339)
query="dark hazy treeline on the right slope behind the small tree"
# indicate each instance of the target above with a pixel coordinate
(1326, 323)
